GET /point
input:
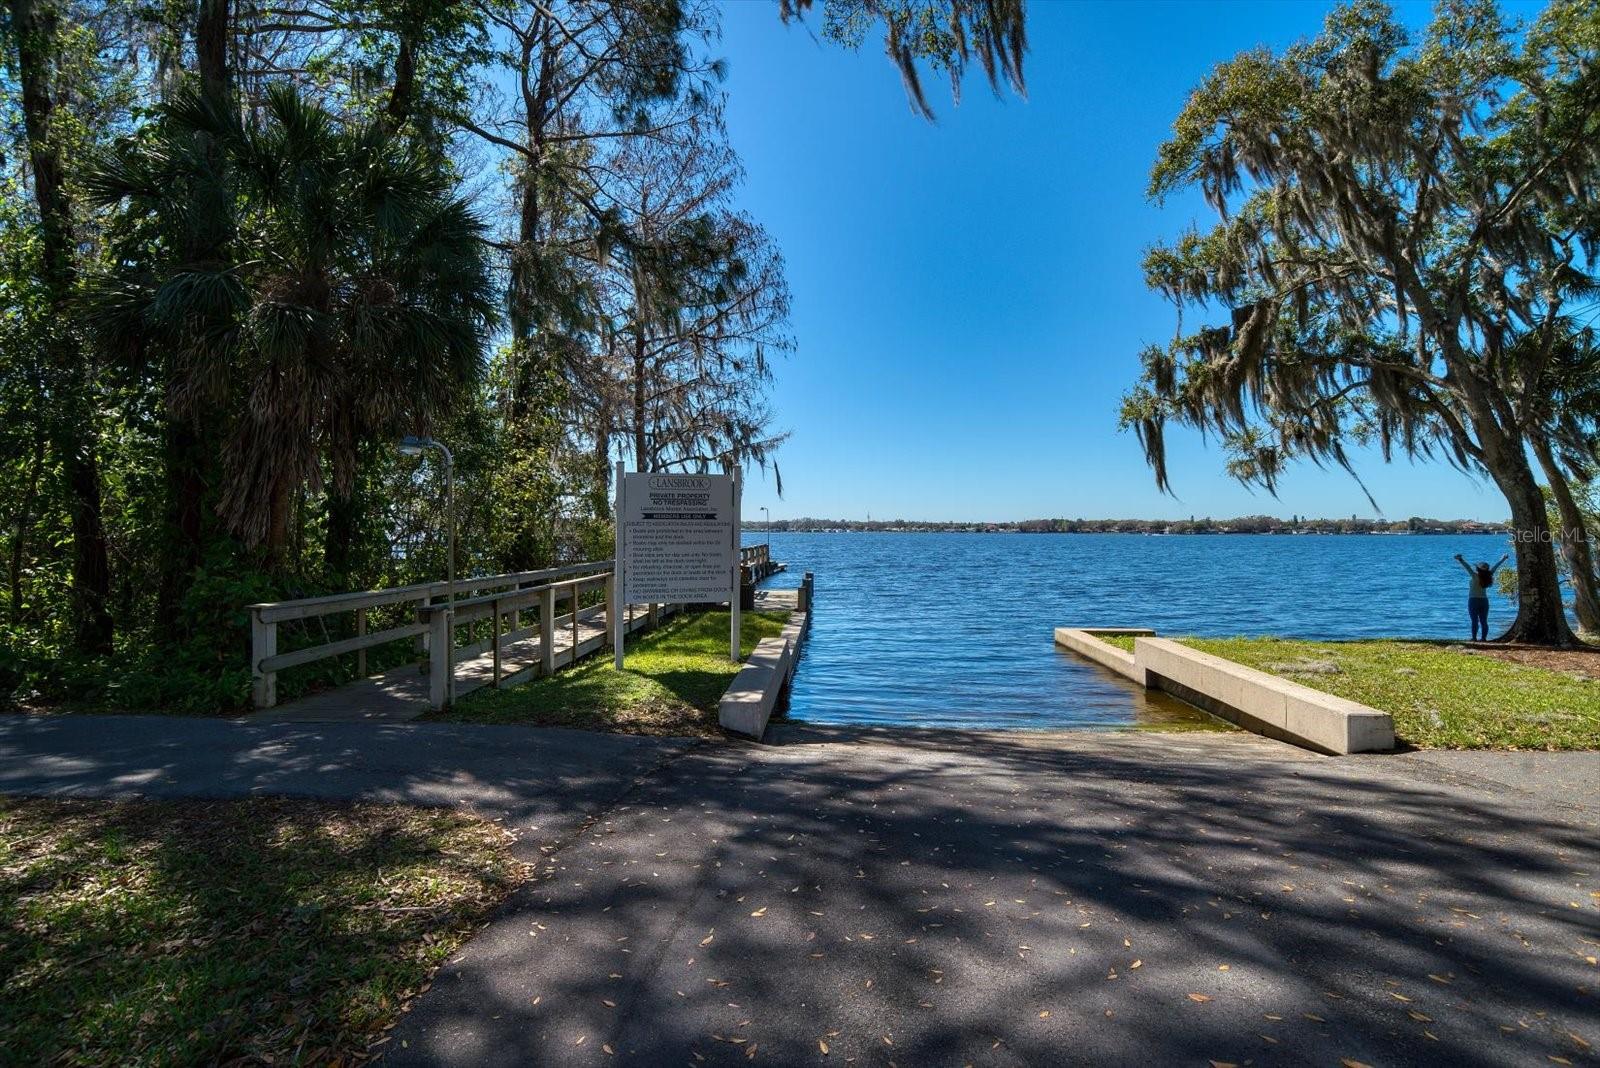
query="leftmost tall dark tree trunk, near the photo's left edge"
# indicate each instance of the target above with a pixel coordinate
(71, 413)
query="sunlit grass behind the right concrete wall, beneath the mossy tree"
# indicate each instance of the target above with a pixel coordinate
(1439, 696)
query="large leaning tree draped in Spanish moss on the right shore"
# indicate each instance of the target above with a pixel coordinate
(1404, 231)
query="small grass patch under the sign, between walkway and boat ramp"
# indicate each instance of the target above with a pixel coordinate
(670, 687)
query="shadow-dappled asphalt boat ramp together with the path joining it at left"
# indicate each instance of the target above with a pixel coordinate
(943, 899)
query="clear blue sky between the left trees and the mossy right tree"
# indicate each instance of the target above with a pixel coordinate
(967, 295)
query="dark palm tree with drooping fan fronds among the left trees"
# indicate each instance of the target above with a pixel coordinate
(348, 297)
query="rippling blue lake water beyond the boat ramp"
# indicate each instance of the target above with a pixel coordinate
(956, 631)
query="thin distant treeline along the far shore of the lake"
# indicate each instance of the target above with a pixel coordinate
(1241, 525)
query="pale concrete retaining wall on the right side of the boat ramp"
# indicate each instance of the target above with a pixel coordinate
(1257, 701)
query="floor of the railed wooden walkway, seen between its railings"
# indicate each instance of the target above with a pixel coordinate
(401, 695)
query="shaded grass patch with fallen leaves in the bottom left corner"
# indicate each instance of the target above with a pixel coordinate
(230, 931)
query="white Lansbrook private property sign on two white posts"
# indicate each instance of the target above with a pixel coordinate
(678, 541)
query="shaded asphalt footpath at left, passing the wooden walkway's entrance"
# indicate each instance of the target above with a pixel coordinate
(543, 783)
